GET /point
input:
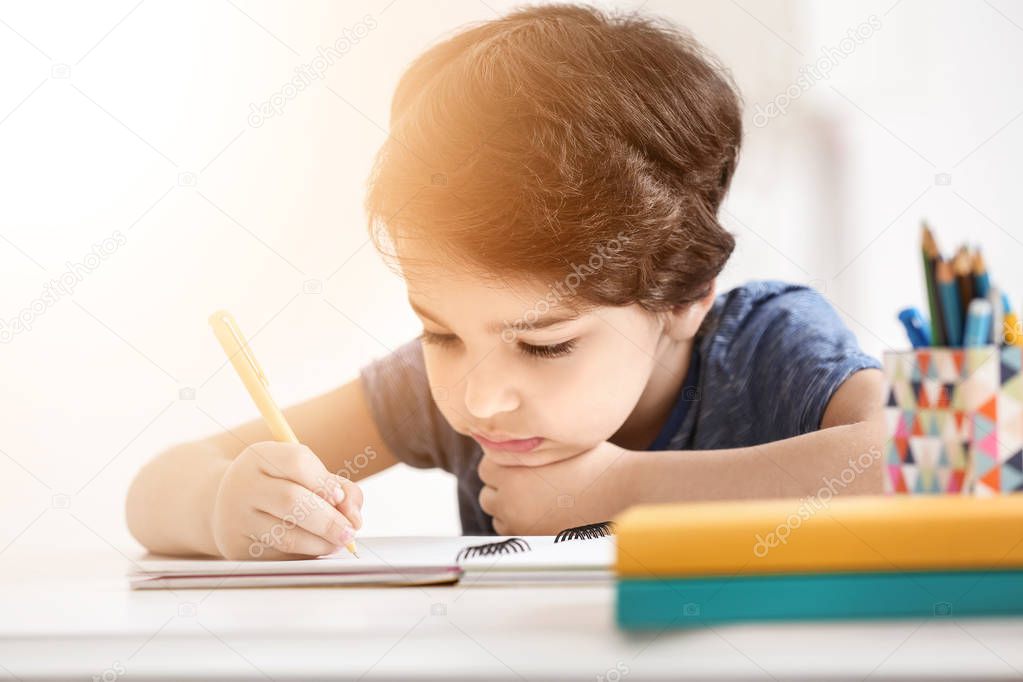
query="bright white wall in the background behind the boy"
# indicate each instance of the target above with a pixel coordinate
(134, 119)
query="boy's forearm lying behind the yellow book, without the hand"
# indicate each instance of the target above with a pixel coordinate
(844, 461)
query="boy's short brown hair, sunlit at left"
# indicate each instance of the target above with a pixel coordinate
(521, 147)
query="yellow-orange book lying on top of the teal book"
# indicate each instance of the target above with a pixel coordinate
(855, 534)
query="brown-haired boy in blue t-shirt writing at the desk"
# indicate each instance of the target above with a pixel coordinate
(550, 193)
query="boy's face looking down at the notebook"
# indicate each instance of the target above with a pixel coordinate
(499, 374)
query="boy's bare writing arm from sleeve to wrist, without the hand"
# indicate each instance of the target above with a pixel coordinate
(170, 504)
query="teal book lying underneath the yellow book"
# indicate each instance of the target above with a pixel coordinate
(689, 603)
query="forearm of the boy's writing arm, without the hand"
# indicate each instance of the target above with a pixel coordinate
(170, 503)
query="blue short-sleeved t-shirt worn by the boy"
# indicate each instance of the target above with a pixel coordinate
(766, 362)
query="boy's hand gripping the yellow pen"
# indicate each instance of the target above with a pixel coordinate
(278, 502)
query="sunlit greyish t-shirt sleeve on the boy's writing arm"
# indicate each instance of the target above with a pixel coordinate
(407, 416)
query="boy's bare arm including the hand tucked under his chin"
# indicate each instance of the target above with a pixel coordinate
(844, 458)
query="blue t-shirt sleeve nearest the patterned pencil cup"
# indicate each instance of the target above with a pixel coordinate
(802, 353)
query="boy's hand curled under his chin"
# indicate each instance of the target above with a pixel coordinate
(589, 488)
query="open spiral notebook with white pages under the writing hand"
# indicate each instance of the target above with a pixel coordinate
(580, 555)
